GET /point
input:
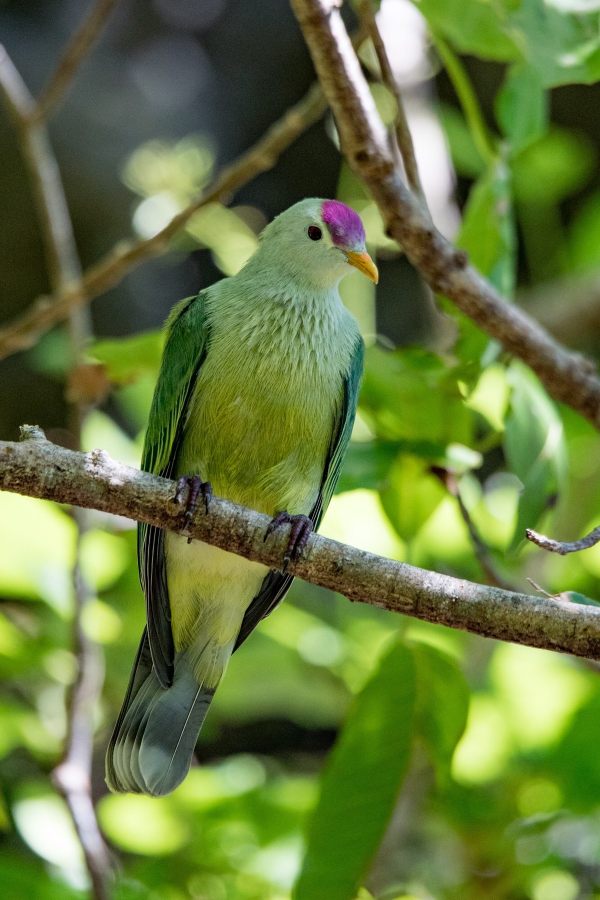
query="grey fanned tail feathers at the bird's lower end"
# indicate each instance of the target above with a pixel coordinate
(150, 751)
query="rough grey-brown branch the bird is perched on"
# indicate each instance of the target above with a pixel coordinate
(37, 468)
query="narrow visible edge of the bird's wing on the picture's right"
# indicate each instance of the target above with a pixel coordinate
(276, 584)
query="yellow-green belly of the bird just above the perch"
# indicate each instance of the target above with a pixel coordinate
(260, 429)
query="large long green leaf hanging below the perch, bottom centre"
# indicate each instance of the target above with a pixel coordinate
(361, 782)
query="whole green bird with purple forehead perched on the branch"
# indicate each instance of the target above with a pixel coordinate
(255, 400)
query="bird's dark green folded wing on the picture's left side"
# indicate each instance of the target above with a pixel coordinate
(184, 353)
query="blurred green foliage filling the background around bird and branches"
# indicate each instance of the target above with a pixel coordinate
(462, 768)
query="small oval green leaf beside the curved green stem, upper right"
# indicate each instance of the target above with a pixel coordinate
(522, 107)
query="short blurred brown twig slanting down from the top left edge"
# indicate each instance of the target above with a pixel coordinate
(74, 54)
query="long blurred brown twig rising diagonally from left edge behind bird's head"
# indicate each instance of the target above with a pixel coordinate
(47, 311)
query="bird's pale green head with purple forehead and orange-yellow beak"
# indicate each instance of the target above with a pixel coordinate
(317, 242)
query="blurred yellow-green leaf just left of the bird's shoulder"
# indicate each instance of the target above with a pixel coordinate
(127, 358)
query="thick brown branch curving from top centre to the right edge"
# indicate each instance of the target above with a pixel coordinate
(567, 376)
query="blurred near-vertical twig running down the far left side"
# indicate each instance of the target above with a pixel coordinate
(72, 776)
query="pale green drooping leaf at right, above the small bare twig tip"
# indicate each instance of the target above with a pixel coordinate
(534, 445)
